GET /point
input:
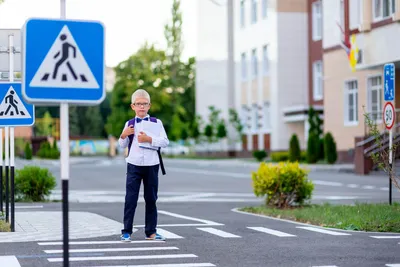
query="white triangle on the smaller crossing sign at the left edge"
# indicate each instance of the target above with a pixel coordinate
(12, 107)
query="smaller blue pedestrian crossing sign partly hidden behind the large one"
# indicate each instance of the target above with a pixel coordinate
(14, 111)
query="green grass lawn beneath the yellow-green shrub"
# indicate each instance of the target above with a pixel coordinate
(360, 217)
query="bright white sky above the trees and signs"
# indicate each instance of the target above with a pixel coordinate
(129, 23)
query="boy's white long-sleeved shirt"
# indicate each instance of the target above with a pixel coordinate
(141, 156)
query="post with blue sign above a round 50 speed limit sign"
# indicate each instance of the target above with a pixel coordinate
(389, 114)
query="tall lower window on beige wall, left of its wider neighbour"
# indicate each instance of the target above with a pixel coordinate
(351, 102)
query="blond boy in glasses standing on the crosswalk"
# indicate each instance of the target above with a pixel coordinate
(142, 163)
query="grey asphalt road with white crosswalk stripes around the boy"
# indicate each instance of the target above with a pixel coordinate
(197, 213)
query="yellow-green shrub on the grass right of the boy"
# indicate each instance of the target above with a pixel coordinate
(283, 184)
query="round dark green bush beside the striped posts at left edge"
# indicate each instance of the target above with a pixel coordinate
(34, 183)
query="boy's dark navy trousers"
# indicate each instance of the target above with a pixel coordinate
(134, 176)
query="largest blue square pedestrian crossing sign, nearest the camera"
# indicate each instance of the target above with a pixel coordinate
(63, 61)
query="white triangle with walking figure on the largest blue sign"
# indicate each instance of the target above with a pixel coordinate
(64, 66)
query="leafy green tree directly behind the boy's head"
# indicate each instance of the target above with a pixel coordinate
(147, 69)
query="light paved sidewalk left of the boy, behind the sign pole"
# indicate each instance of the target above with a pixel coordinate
(47, 226)
